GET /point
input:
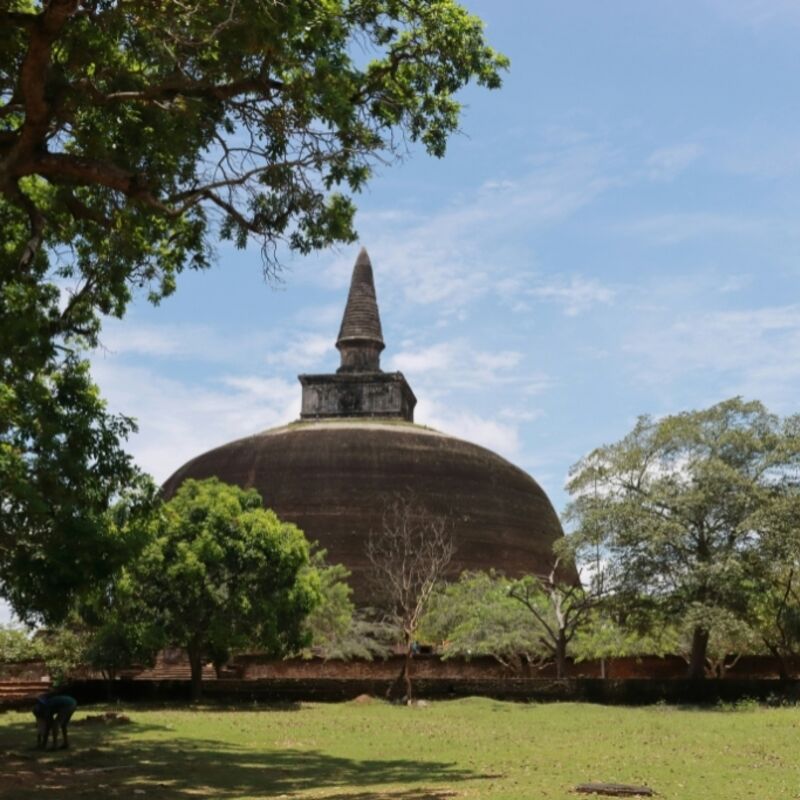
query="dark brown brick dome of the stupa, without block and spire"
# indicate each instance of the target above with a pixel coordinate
(332, 478)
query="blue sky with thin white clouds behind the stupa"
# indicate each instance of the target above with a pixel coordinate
(615, 233)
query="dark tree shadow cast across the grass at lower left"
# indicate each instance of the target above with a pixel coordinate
(114, 761)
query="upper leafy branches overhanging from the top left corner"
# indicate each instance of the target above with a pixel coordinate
(131, 135)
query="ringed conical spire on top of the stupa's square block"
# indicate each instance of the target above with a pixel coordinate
(360, 337)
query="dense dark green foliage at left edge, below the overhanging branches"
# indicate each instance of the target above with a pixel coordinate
(61, 464)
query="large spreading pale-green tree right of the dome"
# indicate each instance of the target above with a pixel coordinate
(674, 507)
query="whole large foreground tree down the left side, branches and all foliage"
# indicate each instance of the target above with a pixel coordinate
(132, 135)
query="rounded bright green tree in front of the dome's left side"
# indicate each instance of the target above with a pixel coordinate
(222, 573)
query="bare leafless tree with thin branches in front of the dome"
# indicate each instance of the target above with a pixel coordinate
(408, 556)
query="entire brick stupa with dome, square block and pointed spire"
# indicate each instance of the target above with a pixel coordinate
(356, 446)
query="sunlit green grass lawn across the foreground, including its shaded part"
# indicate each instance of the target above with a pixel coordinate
(474, 748)
